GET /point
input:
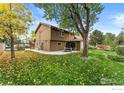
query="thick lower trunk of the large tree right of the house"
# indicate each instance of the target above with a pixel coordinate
(85, 47)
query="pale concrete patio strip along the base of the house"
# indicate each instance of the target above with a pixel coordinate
(52, 52)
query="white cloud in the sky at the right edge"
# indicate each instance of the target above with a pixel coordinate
(119, 19)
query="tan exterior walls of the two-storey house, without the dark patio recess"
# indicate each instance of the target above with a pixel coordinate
(47, 38)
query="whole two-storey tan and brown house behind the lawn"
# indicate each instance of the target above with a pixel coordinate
(51, 38)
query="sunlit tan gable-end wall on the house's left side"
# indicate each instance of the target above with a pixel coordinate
(43, 37)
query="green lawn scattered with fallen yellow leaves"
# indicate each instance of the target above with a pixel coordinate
(31, 68)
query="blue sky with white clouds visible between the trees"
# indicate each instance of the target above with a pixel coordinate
(111, 18)
